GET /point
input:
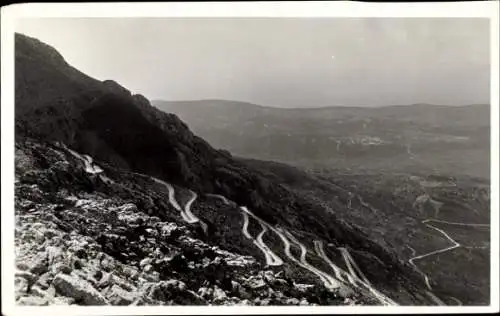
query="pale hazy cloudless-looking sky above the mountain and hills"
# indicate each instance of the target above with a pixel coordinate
(294, 62)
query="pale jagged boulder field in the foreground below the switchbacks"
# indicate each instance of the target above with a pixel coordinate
(96, 248)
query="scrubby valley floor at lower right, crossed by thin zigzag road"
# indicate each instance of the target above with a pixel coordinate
(412, 214)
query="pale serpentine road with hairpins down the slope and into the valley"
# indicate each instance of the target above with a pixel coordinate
(355, 276)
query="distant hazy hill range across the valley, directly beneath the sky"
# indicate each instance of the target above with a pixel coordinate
(393, 138)
